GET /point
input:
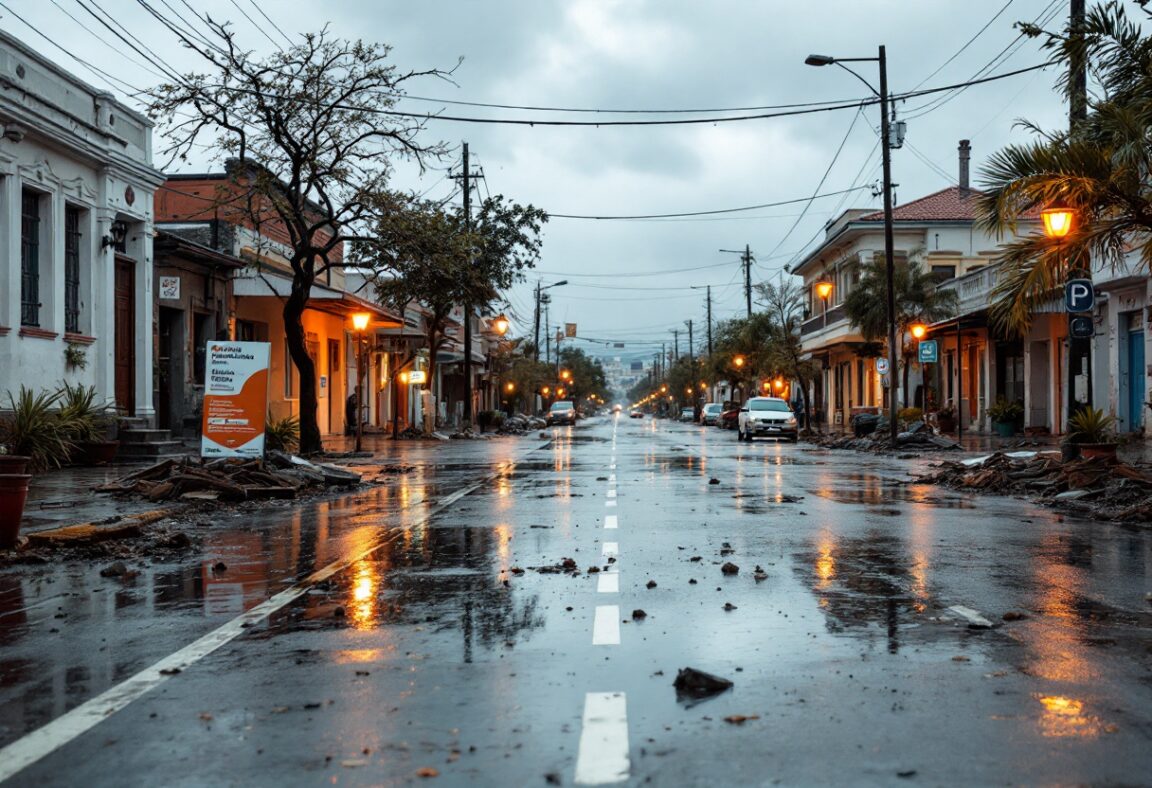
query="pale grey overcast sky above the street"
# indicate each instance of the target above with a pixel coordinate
(655, 55)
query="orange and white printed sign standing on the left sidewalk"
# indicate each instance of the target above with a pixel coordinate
(236, 400)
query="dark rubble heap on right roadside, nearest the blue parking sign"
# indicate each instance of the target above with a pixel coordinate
(1097, 488)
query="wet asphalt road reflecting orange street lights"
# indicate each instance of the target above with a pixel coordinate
(420, 646)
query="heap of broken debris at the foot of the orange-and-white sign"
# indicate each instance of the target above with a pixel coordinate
(281, 476)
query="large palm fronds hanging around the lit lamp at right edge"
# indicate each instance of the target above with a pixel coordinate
(1101, 170)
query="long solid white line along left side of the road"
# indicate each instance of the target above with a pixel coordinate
(44, 741)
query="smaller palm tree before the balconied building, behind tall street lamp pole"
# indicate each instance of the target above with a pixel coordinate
(918, 301)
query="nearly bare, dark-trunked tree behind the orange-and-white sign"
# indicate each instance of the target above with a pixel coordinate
(316, 135)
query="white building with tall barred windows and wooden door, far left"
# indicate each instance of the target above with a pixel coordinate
(77, 186)
